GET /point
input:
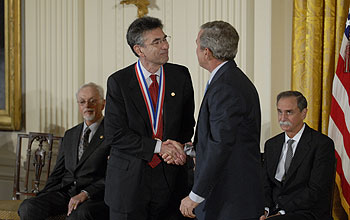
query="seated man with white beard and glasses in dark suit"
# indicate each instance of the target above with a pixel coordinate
(76, 185)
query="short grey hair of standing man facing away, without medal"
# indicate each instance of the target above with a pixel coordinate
(221, 38)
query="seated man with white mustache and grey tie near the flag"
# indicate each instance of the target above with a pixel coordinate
(299, 166)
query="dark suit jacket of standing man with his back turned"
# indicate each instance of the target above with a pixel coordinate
(228, 167)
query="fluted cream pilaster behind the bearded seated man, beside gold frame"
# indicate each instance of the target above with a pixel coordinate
(53, 68)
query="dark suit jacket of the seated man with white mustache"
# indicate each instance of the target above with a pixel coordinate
(308, 184)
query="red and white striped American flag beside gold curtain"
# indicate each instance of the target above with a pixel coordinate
(339, 120)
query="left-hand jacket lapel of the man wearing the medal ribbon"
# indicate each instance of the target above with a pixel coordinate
(137, 98)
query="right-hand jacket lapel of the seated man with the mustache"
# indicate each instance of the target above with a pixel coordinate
(301, 151)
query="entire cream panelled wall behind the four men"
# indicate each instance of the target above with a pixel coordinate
(69, 42)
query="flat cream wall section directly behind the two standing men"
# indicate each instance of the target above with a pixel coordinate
(106, 22)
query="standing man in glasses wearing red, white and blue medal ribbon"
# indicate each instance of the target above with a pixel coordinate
(147, 103)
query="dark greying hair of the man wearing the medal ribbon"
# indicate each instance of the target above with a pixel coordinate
(134, 36)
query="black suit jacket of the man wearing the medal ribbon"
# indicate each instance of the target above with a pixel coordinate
(129, 132)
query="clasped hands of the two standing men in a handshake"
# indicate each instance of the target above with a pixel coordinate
(172, 152)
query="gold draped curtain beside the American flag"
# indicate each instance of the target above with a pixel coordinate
(318, 28)
